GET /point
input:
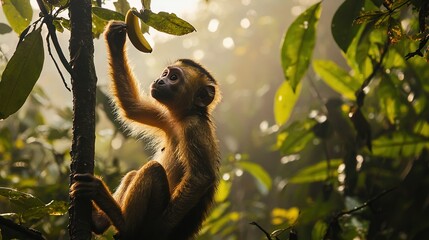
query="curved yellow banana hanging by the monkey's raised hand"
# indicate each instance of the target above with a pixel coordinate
(135, 34)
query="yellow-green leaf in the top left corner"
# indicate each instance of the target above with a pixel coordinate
(18, 13)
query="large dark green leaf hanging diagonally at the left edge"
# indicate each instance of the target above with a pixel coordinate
(21, 73)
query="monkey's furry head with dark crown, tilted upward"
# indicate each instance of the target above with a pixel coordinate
(186, 87)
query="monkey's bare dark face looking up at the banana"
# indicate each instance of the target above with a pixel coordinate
(167, 87)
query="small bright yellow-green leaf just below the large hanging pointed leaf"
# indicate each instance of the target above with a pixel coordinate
(284, 102)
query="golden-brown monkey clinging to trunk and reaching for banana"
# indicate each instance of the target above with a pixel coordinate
(168, 197)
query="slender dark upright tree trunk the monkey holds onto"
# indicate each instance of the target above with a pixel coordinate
(84, 81)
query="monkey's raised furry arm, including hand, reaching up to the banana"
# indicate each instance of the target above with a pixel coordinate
(130, 102)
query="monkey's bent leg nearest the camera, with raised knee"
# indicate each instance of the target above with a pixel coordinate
(144, 202)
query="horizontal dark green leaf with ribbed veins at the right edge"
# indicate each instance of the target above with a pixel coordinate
(399, 144)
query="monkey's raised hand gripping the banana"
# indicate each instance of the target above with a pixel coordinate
(115, 35)
